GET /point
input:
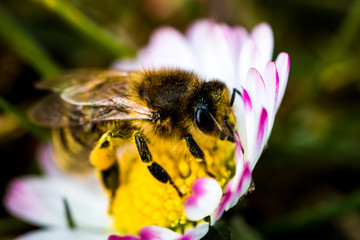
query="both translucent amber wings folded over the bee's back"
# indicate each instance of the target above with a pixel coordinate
(89, 96)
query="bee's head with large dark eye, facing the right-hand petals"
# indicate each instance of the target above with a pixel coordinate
(212, 113)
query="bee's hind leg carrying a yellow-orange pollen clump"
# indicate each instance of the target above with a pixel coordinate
(103, 157)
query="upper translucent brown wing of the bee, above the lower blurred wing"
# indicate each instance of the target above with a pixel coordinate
(94, 87)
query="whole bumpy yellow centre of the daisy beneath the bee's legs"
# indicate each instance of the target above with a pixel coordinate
(142, 200)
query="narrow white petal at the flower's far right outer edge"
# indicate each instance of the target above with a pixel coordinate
(283, 66)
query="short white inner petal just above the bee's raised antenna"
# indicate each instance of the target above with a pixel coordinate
(250, 57)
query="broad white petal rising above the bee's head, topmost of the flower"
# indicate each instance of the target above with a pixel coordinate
(213, 53)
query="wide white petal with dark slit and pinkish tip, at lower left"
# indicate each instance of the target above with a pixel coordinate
(41, 201)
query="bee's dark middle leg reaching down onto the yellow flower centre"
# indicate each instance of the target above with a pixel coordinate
(154, 168)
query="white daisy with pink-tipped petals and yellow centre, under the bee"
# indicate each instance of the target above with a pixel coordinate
(145, 208)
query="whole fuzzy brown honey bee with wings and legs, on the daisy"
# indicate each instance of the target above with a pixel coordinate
(94, 112)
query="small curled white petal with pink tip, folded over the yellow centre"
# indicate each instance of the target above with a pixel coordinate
(205, 197)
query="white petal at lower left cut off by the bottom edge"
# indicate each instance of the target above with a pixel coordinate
(63, 234)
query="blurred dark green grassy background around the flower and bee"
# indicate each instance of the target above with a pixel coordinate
(307, 181)
